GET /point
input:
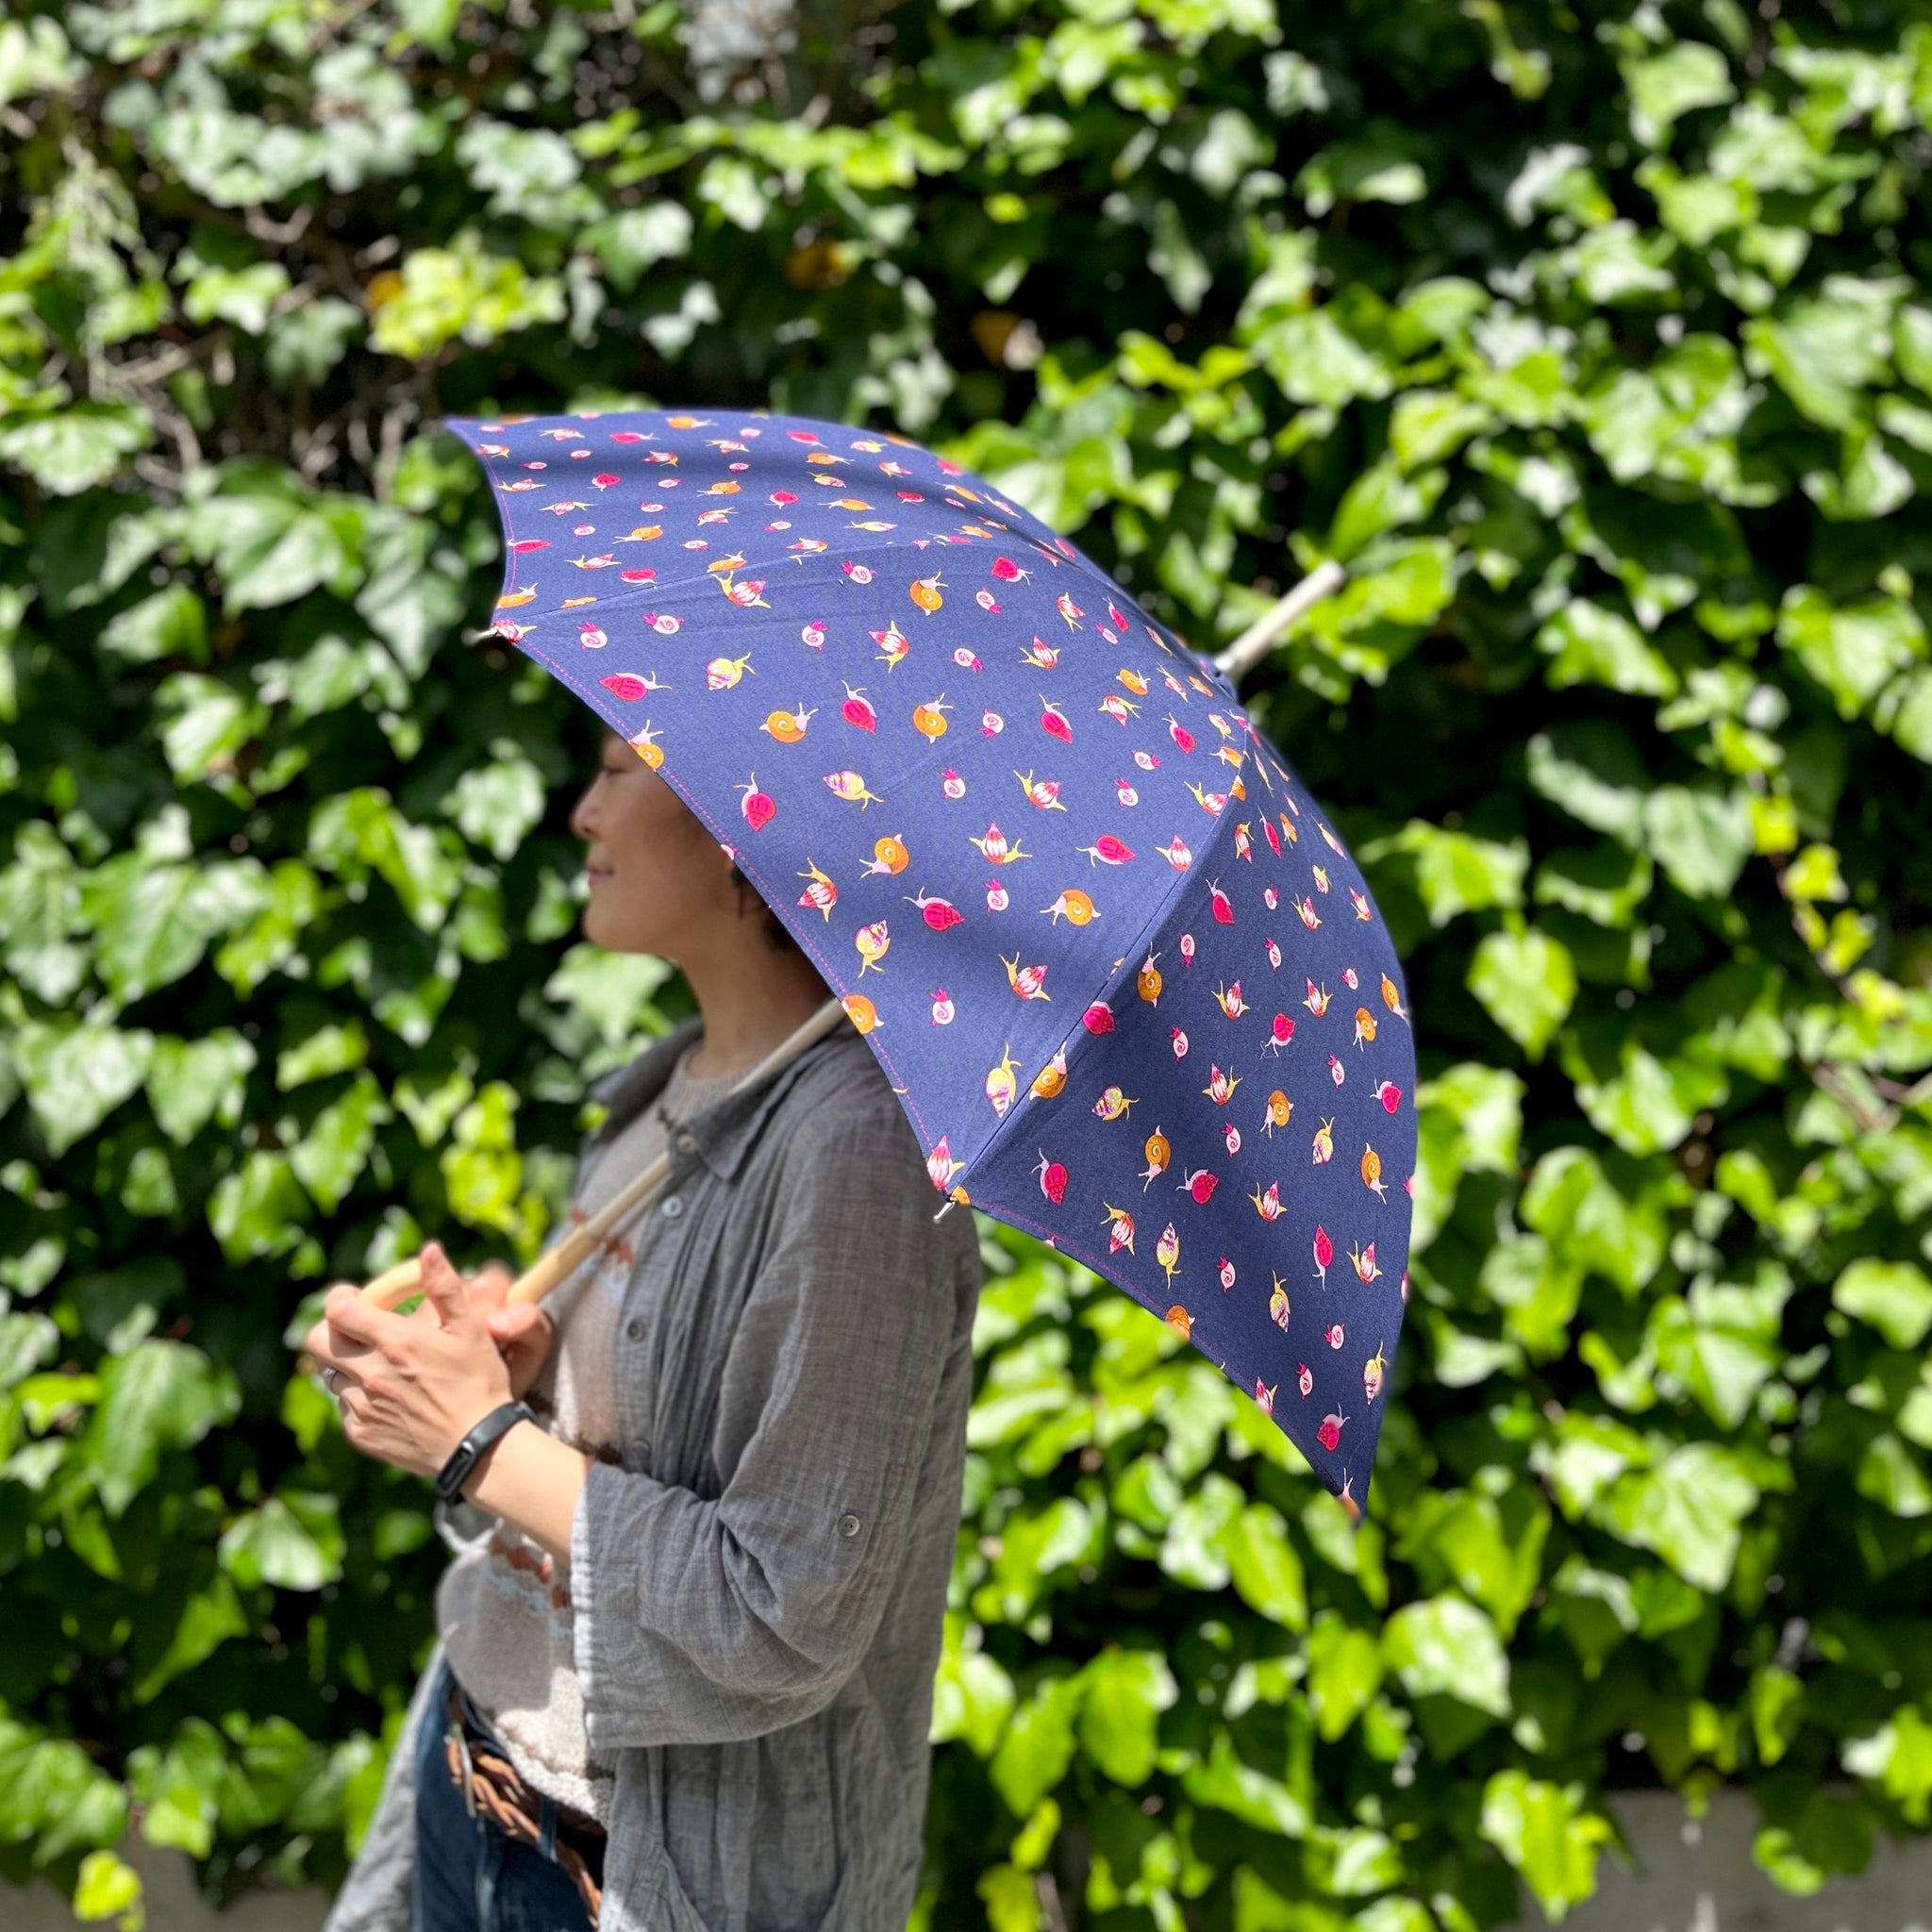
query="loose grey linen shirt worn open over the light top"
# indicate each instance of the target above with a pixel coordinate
(760, 1581)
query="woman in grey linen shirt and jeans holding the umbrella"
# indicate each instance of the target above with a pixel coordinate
(691, 1630)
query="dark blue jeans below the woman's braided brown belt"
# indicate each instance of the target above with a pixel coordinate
(469, 1875)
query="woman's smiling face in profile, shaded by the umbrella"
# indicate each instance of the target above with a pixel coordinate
(658, 878)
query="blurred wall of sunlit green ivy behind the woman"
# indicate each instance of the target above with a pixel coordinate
(1591, 339)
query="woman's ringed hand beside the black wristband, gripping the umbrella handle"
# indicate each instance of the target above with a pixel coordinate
(412, 1388)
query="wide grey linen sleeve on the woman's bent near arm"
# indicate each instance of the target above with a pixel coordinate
(706, 1622)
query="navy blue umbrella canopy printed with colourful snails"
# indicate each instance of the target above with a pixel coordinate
(1122, 973)
